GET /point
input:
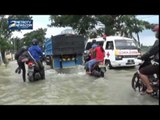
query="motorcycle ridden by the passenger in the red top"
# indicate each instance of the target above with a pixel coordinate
(98, 69)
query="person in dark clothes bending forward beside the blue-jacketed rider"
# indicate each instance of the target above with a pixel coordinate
(21, 53)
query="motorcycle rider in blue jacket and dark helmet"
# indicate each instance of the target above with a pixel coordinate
(36, 52)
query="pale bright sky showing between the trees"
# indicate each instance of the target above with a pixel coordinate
(147, 37)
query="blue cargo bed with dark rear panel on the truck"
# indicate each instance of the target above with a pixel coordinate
(65, 44)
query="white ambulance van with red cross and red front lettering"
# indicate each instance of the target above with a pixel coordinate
(119, 51)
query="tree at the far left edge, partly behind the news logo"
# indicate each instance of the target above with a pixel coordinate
(5, 33)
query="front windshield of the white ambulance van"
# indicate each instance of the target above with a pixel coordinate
(125, 44)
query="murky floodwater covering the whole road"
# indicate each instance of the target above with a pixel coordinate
(70, 87)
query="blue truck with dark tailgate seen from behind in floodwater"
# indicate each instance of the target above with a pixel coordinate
(64, 50)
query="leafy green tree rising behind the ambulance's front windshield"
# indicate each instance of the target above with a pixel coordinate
(128, 25)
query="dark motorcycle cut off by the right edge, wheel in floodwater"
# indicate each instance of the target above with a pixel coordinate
(139, 86)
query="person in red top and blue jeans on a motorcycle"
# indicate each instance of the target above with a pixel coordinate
(99, 56)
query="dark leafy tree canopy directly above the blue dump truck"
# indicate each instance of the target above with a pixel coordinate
(82, 24)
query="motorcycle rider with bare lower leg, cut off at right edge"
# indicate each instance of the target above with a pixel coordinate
(151, 69)
